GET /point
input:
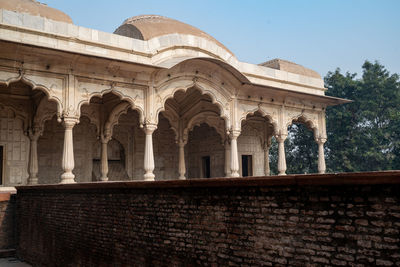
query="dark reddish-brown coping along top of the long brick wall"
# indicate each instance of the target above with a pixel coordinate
(332, 179)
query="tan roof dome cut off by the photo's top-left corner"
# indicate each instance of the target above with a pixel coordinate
(35, 8)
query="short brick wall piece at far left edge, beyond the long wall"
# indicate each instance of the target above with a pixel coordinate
(7, 221)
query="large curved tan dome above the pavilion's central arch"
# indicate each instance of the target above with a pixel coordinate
(145, 27)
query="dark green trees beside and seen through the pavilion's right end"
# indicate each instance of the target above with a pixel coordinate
(362, 136)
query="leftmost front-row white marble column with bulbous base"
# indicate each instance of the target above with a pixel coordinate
(68, 162)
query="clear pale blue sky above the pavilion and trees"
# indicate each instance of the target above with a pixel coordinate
(320, 34)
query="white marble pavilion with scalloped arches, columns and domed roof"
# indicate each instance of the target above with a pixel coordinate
(157, 99)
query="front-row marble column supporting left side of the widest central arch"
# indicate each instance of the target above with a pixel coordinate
(148, 152)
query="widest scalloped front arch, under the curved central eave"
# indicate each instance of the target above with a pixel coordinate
(183, 83)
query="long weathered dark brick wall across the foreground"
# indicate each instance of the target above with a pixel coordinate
(351, 219)
